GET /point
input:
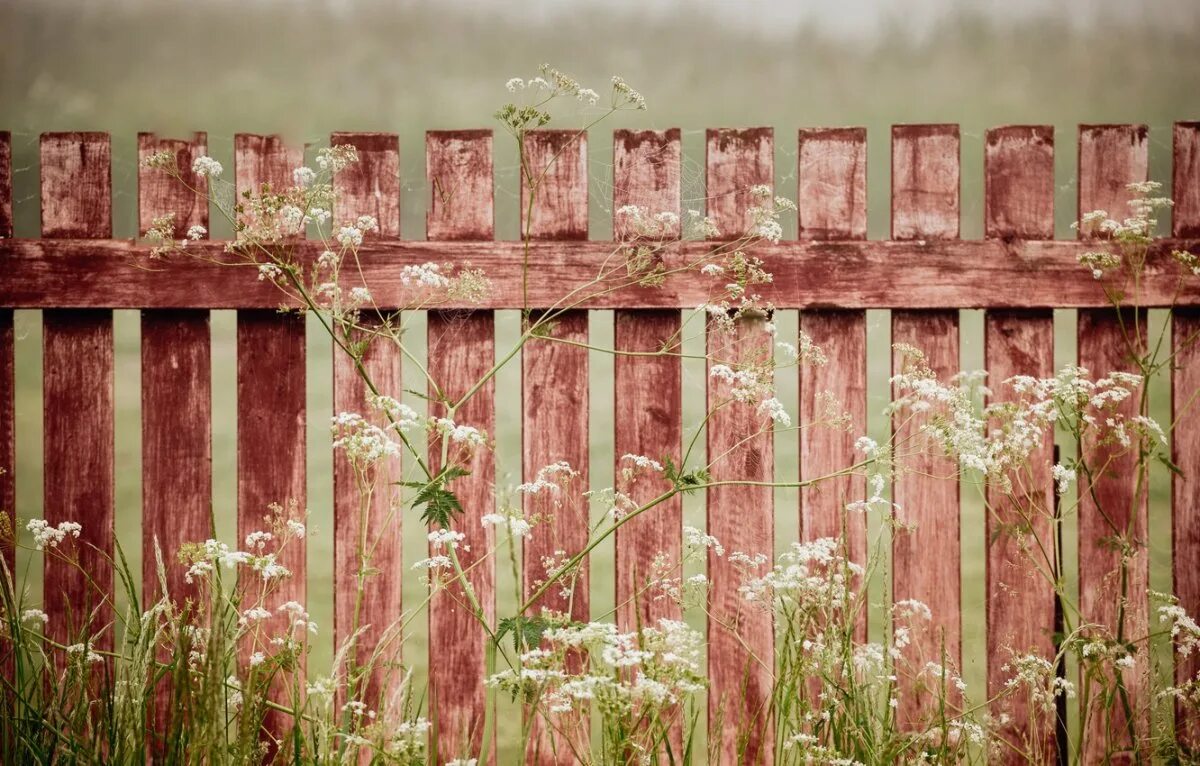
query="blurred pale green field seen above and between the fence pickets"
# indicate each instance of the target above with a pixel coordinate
(308, 69)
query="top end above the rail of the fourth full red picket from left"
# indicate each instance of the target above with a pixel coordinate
(370, 187)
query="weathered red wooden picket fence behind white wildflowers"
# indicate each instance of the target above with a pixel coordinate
(77, 273)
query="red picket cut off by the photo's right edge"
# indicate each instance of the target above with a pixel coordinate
(1186, 415)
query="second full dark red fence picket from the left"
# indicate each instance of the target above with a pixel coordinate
(177, 396)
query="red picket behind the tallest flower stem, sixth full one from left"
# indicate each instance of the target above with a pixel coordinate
(555, 408)
